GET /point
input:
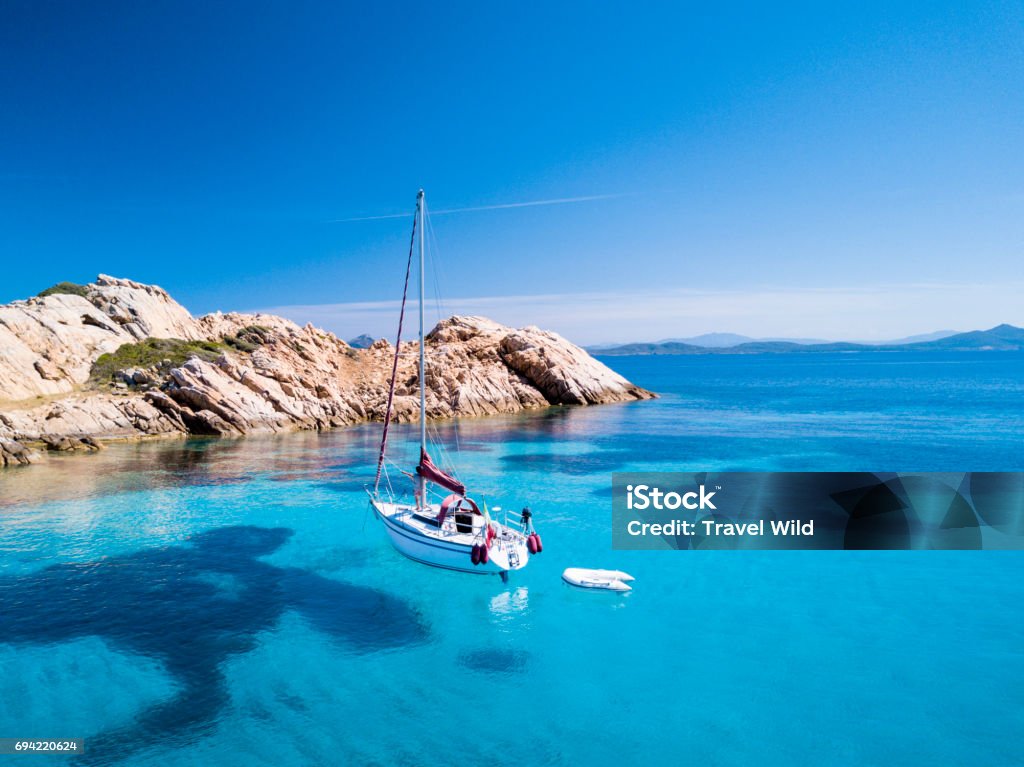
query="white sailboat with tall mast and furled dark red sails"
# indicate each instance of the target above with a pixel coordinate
(442, 526)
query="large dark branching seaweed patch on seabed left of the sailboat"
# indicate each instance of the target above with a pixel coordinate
(170, 605)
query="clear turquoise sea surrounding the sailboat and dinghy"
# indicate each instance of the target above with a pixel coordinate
(233, 603)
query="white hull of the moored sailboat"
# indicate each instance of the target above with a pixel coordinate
(447, 548)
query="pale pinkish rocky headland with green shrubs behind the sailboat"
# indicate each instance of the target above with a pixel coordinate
(119, 360)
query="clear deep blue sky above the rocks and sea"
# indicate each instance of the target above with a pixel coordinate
(850, 172)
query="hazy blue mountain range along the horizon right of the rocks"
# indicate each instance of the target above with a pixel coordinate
(1001, 338)
